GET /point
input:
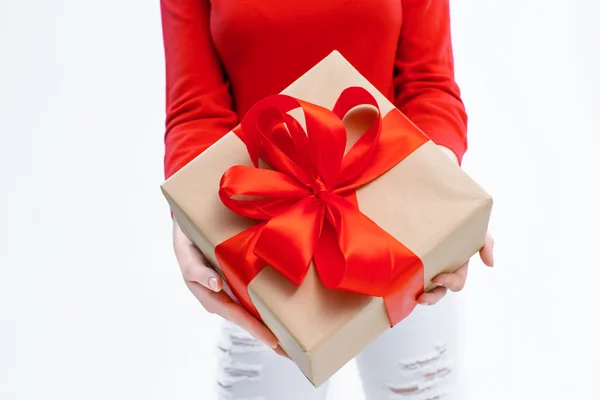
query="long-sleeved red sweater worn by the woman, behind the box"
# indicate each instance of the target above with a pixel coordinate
(222, 56)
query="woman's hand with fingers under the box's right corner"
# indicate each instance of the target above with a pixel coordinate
(455, 281)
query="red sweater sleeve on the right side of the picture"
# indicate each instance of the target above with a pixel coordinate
(424, 81)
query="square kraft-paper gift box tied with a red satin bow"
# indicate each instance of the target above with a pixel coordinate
(327, 212)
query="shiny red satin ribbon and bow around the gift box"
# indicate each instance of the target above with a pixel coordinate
(307, 203)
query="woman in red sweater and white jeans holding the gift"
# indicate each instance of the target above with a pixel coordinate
(222, 56)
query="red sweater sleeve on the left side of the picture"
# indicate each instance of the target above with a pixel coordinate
(198, 103)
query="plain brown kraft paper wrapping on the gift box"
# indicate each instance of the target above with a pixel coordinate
(426, 202)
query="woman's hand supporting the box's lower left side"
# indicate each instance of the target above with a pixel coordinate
(206, 285)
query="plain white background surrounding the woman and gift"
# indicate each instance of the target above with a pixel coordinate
(92, 305)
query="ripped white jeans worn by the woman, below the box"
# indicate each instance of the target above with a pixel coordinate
(413, 361)
